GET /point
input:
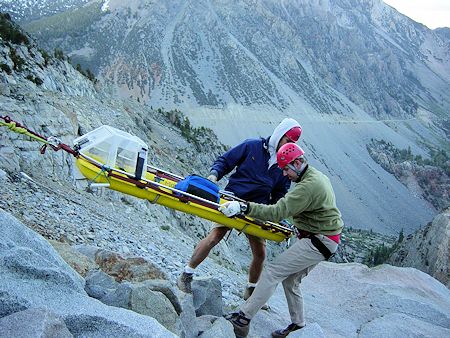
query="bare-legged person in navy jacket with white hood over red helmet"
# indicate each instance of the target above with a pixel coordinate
(257, 179)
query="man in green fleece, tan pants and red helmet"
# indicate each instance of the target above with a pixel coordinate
(312, 205)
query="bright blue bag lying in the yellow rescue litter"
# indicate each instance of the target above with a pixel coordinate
(199, 186)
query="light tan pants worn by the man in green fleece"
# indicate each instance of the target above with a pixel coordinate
(289, 268)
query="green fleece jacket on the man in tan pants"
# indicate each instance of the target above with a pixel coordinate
(311, 203)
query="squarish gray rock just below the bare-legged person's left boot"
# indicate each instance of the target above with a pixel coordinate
(207, 294)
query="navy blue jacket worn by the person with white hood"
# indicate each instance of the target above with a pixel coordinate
(252, 181)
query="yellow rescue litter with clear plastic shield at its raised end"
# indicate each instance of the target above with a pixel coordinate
(117, 160)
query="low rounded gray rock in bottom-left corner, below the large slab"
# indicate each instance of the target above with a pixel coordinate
(33, 323)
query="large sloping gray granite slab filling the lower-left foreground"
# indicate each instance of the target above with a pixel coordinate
(34, 276)
